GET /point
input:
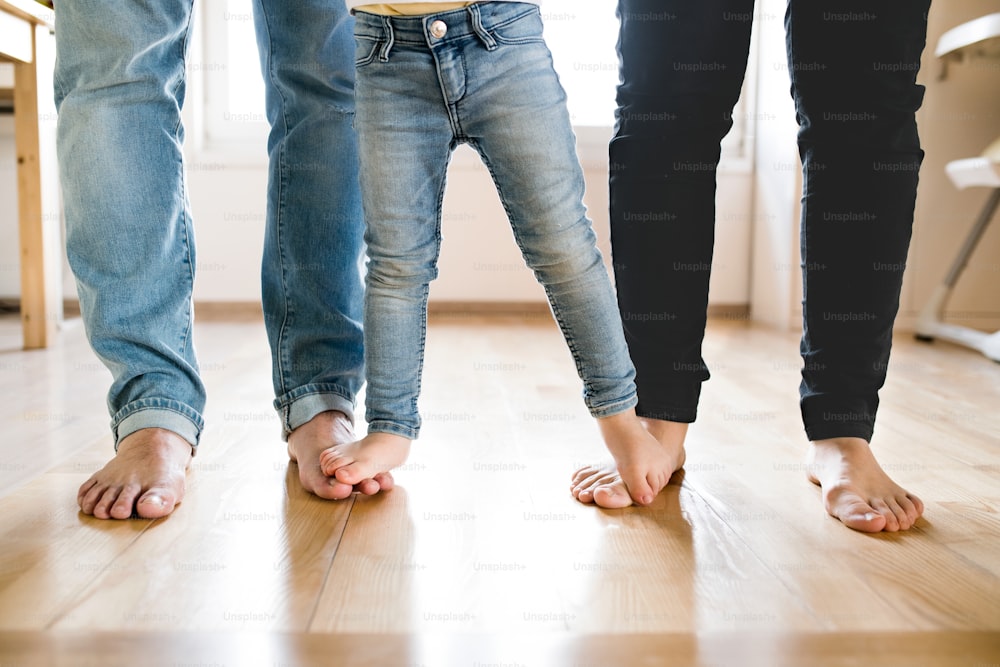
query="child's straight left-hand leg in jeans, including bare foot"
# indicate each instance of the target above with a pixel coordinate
(405, 141)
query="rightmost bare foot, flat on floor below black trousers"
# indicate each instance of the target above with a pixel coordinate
(856, 490)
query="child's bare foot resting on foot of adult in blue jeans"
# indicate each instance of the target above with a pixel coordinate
(372, 457)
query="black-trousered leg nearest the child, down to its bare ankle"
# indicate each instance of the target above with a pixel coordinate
(682, 66)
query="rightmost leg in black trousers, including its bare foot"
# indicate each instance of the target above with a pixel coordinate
(861, 154)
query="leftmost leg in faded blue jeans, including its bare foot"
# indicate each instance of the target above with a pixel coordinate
(119, 89)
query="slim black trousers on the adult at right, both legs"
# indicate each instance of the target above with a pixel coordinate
(853, 68)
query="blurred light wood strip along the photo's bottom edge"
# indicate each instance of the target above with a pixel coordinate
(164, 649)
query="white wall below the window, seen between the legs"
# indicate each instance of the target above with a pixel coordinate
(479, 262)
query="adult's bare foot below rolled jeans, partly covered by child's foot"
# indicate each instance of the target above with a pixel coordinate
(309, 441)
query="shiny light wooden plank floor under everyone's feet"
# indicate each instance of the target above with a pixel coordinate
(481, 557)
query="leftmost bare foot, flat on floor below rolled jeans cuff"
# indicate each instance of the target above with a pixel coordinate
(144, 479)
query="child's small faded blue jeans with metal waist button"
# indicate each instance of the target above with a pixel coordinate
(487, 81)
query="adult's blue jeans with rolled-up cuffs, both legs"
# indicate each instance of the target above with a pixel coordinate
(120, 85)
